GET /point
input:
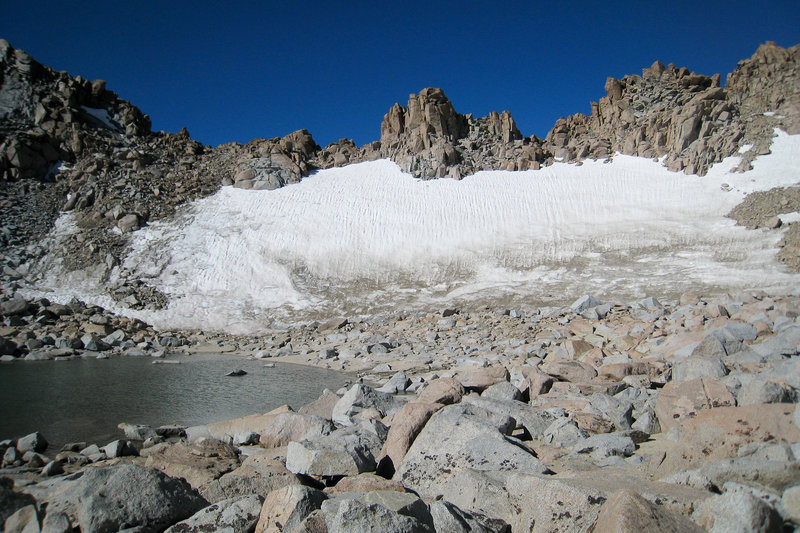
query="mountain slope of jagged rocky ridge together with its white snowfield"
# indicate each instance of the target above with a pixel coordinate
(68, 145)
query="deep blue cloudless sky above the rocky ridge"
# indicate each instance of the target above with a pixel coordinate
(235, 71)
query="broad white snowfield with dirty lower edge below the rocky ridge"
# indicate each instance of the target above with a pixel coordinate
(368, 238)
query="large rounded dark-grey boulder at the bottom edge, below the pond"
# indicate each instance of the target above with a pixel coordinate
(125, 496)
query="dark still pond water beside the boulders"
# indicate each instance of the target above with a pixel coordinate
(85, 399)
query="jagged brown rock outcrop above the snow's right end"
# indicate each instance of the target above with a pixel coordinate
(685, 117)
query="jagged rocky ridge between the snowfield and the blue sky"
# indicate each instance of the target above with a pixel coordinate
(70, 145)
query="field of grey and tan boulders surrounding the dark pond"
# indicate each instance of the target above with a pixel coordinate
(652, 415)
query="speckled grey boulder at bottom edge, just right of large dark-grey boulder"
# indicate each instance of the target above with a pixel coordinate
(235, 515)
